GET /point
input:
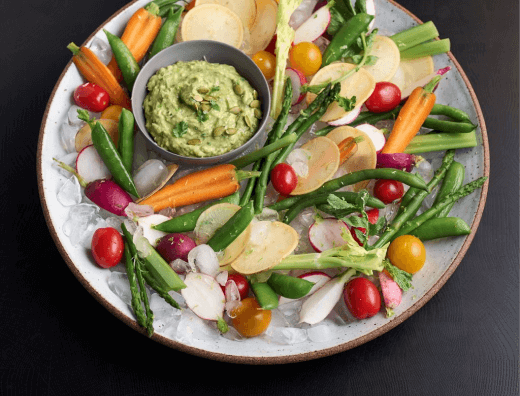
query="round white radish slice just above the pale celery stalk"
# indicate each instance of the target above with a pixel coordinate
(326, 234)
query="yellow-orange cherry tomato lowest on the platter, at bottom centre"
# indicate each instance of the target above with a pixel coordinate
(250, 319)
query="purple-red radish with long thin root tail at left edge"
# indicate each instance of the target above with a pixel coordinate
(104, 192)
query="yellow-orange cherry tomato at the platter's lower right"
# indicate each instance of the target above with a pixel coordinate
(407, 253)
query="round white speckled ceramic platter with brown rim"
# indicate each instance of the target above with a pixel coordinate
(443, 256)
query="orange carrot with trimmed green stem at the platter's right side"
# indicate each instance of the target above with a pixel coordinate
(411, 117)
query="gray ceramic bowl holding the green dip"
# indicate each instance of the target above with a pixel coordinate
(213, 52)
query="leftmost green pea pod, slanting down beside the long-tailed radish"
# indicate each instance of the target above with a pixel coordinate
(109, 154)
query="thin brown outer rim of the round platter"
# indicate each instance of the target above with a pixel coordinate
(288, 358)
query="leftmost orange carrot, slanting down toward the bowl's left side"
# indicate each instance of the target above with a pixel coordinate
(97, 73)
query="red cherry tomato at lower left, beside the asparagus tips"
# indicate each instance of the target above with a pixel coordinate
(107, 247)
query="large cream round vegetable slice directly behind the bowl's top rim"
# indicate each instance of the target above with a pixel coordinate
(213, 22)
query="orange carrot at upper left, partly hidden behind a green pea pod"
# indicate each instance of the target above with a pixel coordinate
(140, 32)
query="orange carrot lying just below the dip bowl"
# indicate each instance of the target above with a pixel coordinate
(212, 183)
